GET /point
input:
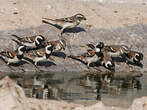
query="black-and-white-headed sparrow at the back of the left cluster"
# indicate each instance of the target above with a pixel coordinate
(31, 42)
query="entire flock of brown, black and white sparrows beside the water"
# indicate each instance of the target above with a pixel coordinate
(37, 48)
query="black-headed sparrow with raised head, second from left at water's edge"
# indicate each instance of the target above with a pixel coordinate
(39, 55)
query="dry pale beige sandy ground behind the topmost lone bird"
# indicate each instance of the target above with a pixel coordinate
(16, 14)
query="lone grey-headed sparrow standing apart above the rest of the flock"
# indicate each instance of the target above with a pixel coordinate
(69, 22)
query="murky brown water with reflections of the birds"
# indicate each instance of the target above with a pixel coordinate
(118, 89)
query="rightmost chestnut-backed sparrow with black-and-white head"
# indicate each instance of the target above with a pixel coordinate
(134, 56)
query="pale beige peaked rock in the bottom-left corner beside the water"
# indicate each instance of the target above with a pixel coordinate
(12, 96)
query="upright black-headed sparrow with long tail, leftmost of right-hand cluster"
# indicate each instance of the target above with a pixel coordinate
(91, 55)
